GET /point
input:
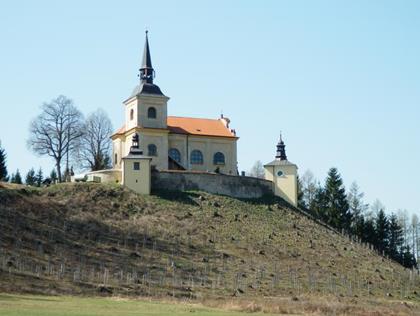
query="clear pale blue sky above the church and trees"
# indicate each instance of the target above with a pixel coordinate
(341, 79)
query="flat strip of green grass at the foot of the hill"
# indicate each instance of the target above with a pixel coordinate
(29, 305)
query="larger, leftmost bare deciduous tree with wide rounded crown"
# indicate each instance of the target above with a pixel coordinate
(56, 130)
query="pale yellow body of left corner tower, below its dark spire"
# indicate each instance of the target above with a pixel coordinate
(137, 180)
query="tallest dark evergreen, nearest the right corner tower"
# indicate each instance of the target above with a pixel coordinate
(337, 207)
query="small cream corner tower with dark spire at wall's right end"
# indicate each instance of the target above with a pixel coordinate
(283, 174)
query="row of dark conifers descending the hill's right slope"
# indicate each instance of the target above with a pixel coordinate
(347, 212)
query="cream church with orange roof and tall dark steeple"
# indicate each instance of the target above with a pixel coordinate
(172, 142)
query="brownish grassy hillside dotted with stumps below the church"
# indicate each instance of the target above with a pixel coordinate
(99, 239)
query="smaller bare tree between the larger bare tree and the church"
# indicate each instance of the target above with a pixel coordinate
(95, 144)
